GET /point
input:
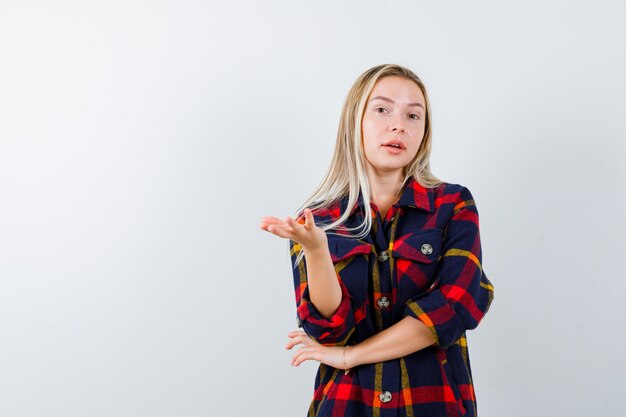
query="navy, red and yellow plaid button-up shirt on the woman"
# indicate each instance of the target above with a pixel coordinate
(423, 260)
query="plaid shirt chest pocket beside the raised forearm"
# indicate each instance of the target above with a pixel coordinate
(351, 260)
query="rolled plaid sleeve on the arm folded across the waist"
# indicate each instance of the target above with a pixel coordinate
(461, 293)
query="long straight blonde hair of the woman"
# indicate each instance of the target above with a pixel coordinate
(346, 174)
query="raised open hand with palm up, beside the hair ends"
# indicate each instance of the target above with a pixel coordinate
(307, 234)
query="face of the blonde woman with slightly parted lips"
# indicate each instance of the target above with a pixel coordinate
(395, 113)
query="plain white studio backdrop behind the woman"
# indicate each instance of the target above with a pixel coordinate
(141, 142)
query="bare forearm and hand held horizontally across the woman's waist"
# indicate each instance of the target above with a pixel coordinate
(403, 338)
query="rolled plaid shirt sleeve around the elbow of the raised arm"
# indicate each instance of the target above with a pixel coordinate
(335, 330)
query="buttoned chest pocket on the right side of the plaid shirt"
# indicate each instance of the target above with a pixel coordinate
(416, 258)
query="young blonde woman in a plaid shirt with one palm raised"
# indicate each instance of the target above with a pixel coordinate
(386, 264)
